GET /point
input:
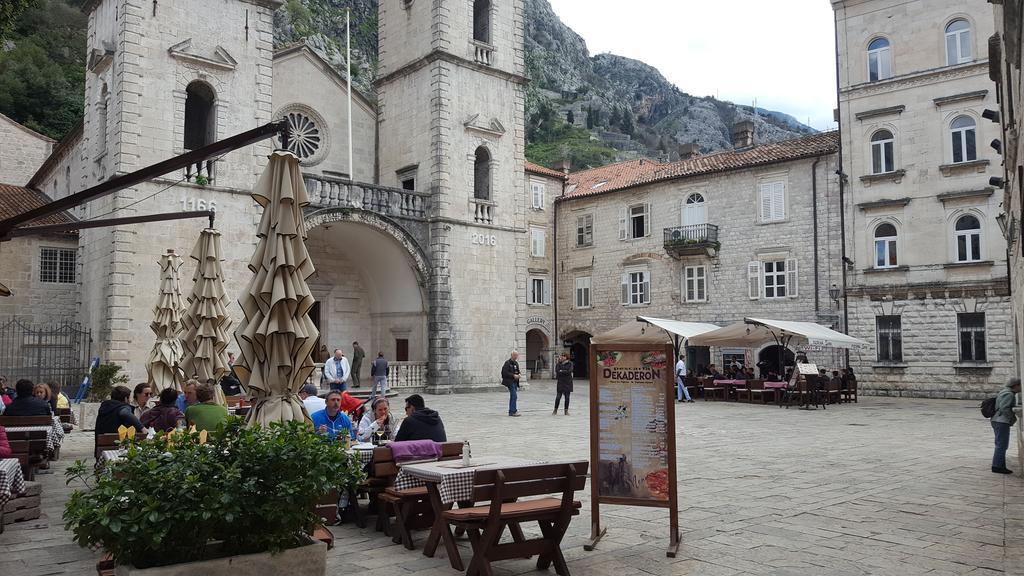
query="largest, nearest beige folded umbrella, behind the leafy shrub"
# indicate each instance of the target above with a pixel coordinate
(277, 336)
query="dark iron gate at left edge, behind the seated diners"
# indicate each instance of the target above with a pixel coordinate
(57, 354)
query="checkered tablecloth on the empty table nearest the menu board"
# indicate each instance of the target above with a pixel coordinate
(455, 483)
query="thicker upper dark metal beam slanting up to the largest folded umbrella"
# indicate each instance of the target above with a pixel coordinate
(144, 175)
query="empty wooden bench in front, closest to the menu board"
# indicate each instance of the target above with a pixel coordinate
(504, 489)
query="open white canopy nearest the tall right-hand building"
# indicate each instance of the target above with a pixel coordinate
(755, 332)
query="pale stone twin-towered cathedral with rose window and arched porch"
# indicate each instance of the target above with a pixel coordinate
(422, 245)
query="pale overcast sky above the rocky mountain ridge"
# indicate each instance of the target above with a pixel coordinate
(782, 53)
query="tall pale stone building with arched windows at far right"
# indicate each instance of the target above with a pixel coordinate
(926, 281)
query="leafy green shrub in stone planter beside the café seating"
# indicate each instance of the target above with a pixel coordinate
(241, 500)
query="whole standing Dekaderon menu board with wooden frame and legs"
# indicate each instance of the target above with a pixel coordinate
(633, 432)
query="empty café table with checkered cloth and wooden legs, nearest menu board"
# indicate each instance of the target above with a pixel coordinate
(448, 482)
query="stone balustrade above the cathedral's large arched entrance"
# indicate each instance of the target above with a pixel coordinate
(326, 192)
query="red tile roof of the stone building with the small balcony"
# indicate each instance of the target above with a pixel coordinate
(637, 173)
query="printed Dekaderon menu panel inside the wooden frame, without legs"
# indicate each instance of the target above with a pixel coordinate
(633, 444)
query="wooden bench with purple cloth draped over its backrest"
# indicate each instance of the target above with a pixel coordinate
(411, 508)
